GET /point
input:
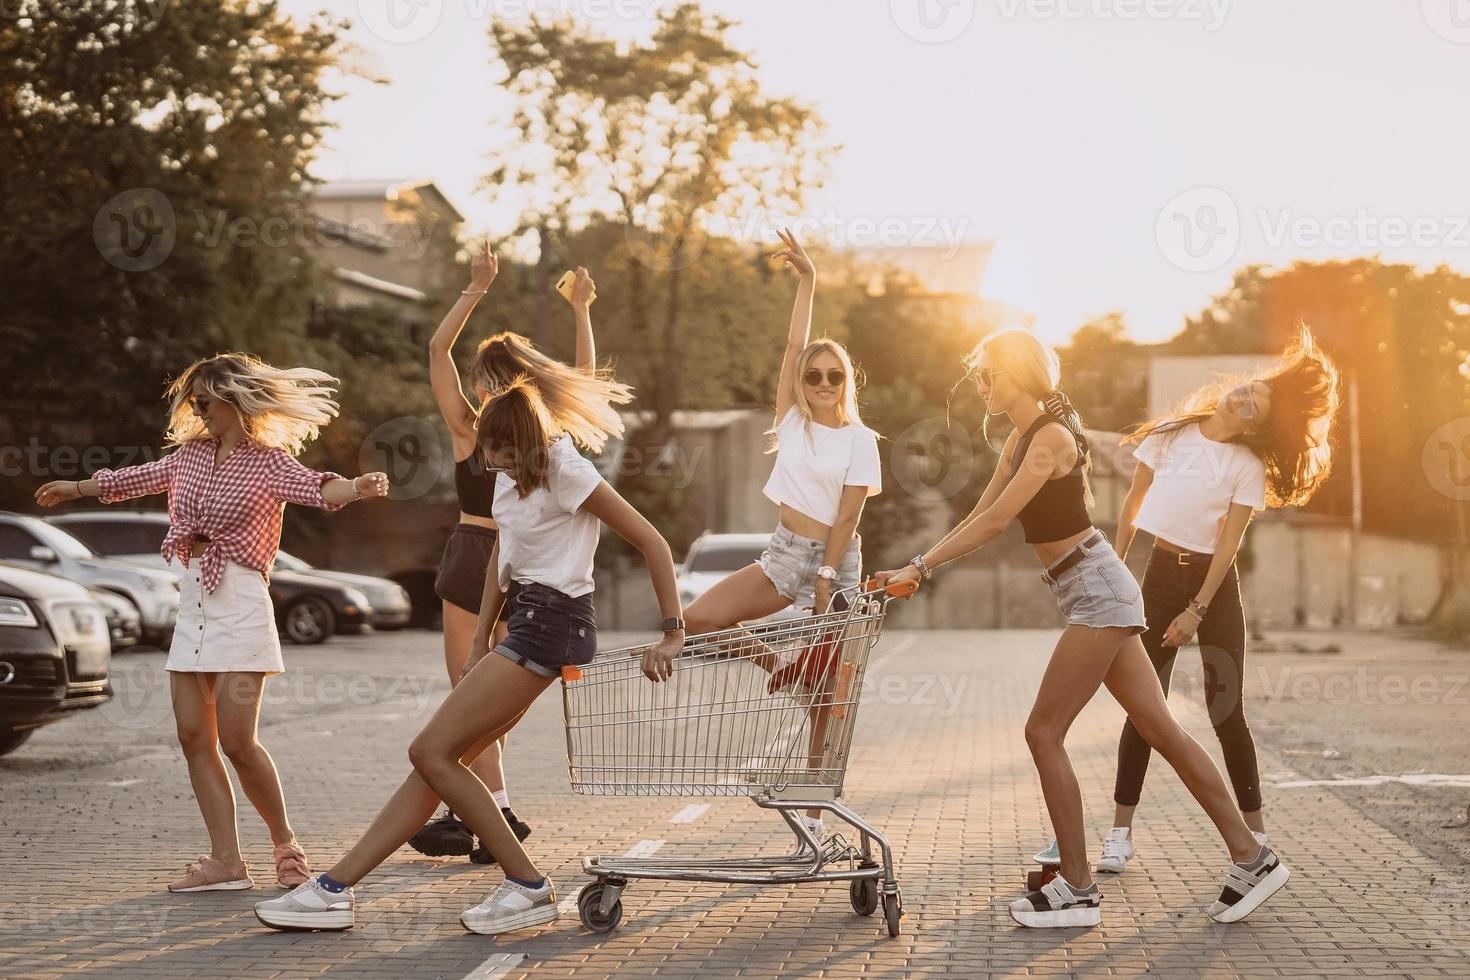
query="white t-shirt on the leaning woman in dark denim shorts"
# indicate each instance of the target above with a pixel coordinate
(545, 537)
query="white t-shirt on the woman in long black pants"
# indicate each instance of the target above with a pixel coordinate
(1196, 481)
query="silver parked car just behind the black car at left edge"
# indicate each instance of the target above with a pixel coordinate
(43, 547)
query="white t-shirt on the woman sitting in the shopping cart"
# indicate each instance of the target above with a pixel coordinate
(812, 471)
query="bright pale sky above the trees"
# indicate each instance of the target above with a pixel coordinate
(1124, 155)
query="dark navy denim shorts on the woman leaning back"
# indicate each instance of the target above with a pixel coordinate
(549, 630)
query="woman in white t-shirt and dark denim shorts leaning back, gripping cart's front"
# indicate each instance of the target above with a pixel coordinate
(551, 505)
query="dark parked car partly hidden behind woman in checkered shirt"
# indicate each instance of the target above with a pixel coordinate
(309, 608)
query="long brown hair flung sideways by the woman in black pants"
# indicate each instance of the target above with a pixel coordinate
(1294, 442)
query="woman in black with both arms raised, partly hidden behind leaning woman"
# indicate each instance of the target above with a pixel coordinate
(467, 555)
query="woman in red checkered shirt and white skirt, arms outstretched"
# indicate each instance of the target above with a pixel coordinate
(239, 425)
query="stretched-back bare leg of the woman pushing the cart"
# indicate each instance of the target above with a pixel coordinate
(1136, 685)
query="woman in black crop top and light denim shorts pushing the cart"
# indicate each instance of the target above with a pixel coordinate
(1041, 483)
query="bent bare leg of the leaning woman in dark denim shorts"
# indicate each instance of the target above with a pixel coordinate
(490, 699)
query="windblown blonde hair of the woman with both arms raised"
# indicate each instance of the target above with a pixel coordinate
(578, 403)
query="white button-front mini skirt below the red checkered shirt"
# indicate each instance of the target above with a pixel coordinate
(230, 630)
